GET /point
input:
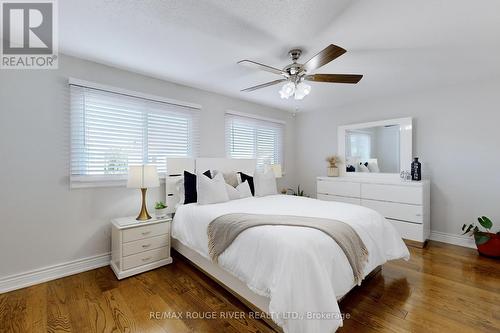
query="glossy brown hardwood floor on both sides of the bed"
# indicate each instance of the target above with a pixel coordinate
(443, 288)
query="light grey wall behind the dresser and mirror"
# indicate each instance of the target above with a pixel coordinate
(456, 135)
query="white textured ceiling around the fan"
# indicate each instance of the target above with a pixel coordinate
(399, 45)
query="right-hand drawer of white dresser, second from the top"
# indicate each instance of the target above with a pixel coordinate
(398, 211)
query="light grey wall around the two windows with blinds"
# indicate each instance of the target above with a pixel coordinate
(42, 221)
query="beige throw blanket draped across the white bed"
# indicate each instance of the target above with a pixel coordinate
(223, 231)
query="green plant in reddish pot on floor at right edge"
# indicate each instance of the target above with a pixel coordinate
(487, 243)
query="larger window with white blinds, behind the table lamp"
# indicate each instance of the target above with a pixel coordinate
(111, 130)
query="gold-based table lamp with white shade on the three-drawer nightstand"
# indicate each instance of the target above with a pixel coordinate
(143, 177)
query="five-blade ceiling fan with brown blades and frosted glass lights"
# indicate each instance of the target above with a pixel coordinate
(295, 74)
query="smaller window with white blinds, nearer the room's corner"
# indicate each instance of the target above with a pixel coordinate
(248, 137)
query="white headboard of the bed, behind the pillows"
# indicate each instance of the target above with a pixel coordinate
(176, 167)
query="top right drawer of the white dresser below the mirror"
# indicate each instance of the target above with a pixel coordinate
(394, 193)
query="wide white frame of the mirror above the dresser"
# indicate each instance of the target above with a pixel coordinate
(405, 146)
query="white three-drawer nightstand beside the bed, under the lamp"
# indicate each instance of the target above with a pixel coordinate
(139, 246)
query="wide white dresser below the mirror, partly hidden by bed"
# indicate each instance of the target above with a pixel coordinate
(405, 204)
